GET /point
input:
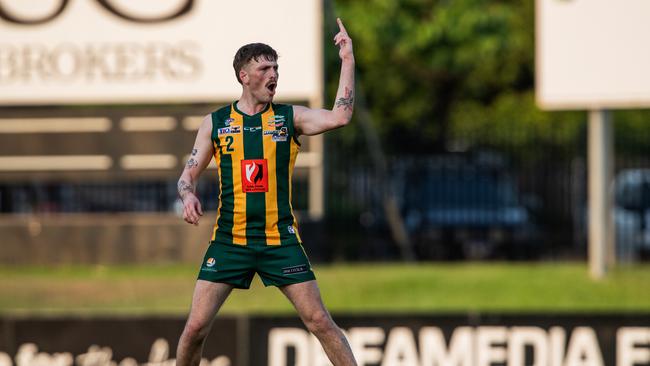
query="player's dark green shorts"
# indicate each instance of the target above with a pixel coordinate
(234, 264)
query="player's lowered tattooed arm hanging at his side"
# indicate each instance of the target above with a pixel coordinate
(199, 158)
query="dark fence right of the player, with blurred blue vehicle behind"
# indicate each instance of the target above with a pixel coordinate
(494, 197)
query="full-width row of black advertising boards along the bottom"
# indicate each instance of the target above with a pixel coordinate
(388, 340)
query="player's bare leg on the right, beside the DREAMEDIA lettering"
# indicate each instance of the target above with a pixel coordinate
(306, 299)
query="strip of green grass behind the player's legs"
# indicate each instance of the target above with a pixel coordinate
(346, 288)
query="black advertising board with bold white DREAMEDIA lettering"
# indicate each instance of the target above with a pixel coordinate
(541, 340)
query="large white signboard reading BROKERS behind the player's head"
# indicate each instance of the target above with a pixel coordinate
(151, 51)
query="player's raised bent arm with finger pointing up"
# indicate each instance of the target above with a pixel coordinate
(314, 121)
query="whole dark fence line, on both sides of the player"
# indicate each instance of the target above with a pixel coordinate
(482, 200)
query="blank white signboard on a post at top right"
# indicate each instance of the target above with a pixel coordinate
(593, 54)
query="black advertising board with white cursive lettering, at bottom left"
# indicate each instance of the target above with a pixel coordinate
(120, 341)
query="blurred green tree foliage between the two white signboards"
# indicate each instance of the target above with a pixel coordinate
(451, 75)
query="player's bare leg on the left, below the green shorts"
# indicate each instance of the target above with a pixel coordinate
(208, 298)
